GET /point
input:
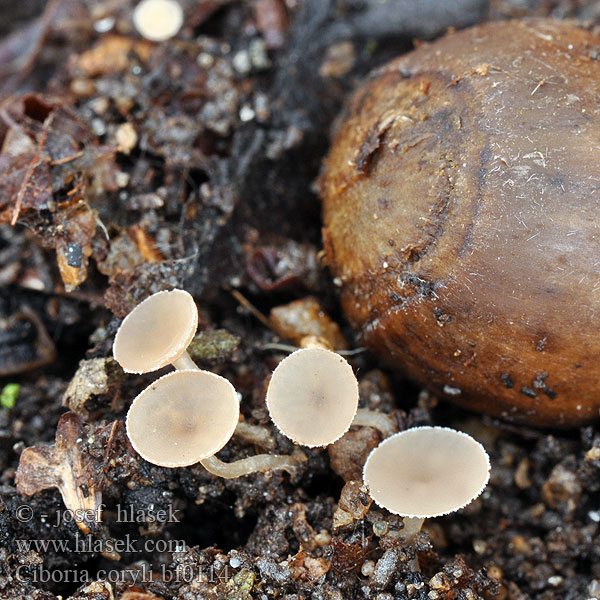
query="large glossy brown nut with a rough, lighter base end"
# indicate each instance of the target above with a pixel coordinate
(461, 202)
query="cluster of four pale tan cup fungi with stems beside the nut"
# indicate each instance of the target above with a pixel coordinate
(187, 416)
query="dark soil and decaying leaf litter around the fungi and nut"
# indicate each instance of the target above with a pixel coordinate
(128, 167)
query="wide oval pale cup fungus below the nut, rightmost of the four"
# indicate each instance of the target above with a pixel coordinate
(426, 472)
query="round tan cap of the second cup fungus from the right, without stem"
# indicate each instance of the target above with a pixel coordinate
(313, 396)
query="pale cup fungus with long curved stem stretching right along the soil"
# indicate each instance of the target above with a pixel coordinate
(186, 417)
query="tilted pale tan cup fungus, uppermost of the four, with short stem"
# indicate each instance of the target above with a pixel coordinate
(157, 332)
